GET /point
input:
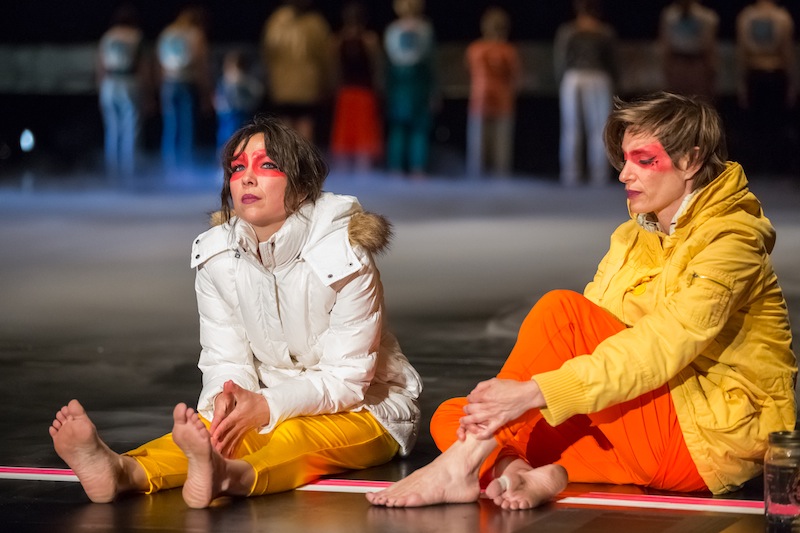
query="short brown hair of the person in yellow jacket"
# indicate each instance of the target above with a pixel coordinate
(680, 123)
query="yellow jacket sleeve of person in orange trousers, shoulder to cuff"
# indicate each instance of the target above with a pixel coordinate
(712, 284)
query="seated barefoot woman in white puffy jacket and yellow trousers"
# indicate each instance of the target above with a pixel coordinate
(300, 378)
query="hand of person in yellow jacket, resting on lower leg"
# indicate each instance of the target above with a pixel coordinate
(496, 402)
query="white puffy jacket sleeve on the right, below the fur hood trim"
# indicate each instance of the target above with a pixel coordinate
(340, 379)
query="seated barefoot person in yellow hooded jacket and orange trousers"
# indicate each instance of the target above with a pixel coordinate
(672, 368)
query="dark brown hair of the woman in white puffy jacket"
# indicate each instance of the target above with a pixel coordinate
(295, 156)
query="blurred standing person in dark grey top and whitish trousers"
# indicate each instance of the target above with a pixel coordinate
(586, 67)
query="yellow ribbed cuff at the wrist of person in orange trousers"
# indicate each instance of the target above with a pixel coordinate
(563, 395)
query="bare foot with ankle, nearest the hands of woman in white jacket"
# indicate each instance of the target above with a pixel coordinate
(210, 475)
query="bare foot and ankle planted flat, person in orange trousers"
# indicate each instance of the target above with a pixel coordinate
(450, 478)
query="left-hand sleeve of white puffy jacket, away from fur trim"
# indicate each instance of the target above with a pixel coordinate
(225, 352)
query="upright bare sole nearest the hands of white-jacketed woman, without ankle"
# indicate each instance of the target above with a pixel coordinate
(206, 466)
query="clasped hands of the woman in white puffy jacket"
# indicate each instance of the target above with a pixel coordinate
(242, 411)
